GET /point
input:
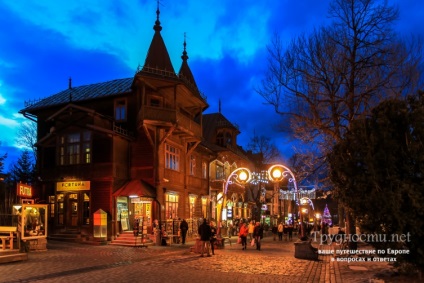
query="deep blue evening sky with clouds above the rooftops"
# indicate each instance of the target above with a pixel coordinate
(44, 42)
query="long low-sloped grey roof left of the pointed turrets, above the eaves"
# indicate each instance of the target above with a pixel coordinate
(82, 93)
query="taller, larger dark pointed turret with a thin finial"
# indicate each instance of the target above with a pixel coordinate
(157, 58)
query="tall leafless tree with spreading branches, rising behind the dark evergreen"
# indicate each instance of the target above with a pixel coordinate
(338, 73)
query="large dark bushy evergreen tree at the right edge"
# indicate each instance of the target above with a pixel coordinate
(380, 166)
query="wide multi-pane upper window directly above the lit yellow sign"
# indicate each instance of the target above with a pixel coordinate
(75, 148)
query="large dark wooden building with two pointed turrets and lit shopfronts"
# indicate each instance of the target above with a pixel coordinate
(131, 147)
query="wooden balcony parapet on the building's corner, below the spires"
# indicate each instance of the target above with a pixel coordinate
(158, 116)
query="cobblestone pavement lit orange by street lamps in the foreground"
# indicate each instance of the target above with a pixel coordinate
(69, 262)
